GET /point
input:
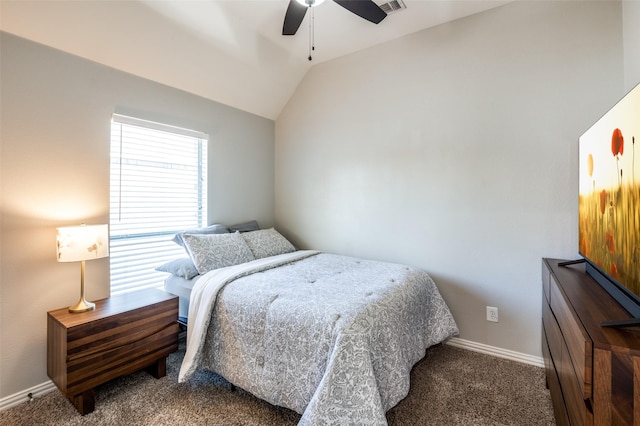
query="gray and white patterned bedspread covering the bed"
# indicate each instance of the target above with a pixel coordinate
(331, 337)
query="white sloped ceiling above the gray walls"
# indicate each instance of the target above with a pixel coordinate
(230, 51)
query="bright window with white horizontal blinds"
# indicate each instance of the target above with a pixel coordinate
(158, 187)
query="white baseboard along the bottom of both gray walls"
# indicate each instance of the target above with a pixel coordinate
(43, 388)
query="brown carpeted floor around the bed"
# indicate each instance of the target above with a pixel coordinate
(450, 386)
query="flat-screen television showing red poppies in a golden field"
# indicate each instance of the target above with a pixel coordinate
(609, 204)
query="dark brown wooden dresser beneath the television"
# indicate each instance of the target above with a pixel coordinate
(593, 372)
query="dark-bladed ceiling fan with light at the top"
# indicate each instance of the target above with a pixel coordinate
(296, 10)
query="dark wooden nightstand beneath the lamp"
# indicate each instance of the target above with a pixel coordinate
(123, 334)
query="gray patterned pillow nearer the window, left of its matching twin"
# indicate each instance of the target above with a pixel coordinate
(213, 251)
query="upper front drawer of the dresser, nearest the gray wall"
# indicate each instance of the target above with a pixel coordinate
(578, 343)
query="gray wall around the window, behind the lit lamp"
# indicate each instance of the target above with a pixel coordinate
(54, 170)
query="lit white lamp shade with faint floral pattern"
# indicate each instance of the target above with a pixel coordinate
(85, 242)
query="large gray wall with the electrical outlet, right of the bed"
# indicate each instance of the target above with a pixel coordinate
(455, 150)
